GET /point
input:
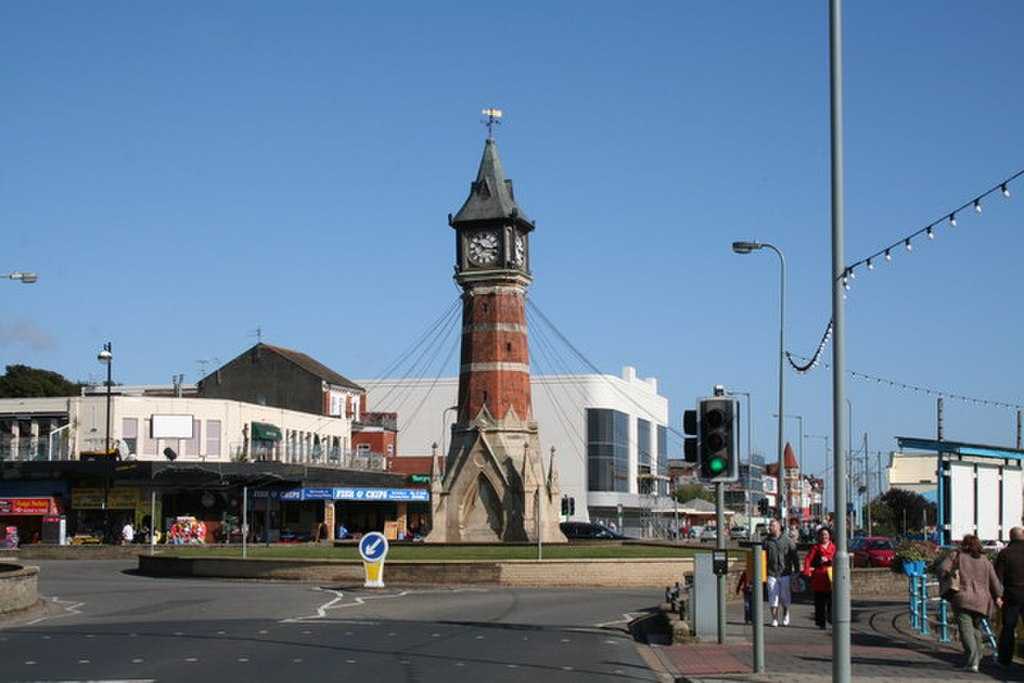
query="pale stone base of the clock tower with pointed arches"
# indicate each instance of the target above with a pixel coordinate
(495, 489)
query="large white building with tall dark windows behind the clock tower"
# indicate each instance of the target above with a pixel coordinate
(610, 435)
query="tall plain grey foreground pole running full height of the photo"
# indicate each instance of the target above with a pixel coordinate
(841, 578)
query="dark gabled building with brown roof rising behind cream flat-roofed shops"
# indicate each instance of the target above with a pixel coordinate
(279, 377)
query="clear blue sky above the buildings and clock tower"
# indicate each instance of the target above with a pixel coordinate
(181, 175)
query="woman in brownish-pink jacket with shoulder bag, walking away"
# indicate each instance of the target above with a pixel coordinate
(979, 591)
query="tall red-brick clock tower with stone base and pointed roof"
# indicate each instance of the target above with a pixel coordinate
(495, 486)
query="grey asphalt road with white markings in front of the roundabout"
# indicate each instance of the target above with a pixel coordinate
(112, 625)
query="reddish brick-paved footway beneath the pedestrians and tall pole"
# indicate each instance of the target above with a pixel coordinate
(883, 649)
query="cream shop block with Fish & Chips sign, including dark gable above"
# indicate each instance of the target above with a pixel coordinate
(173, 453)
